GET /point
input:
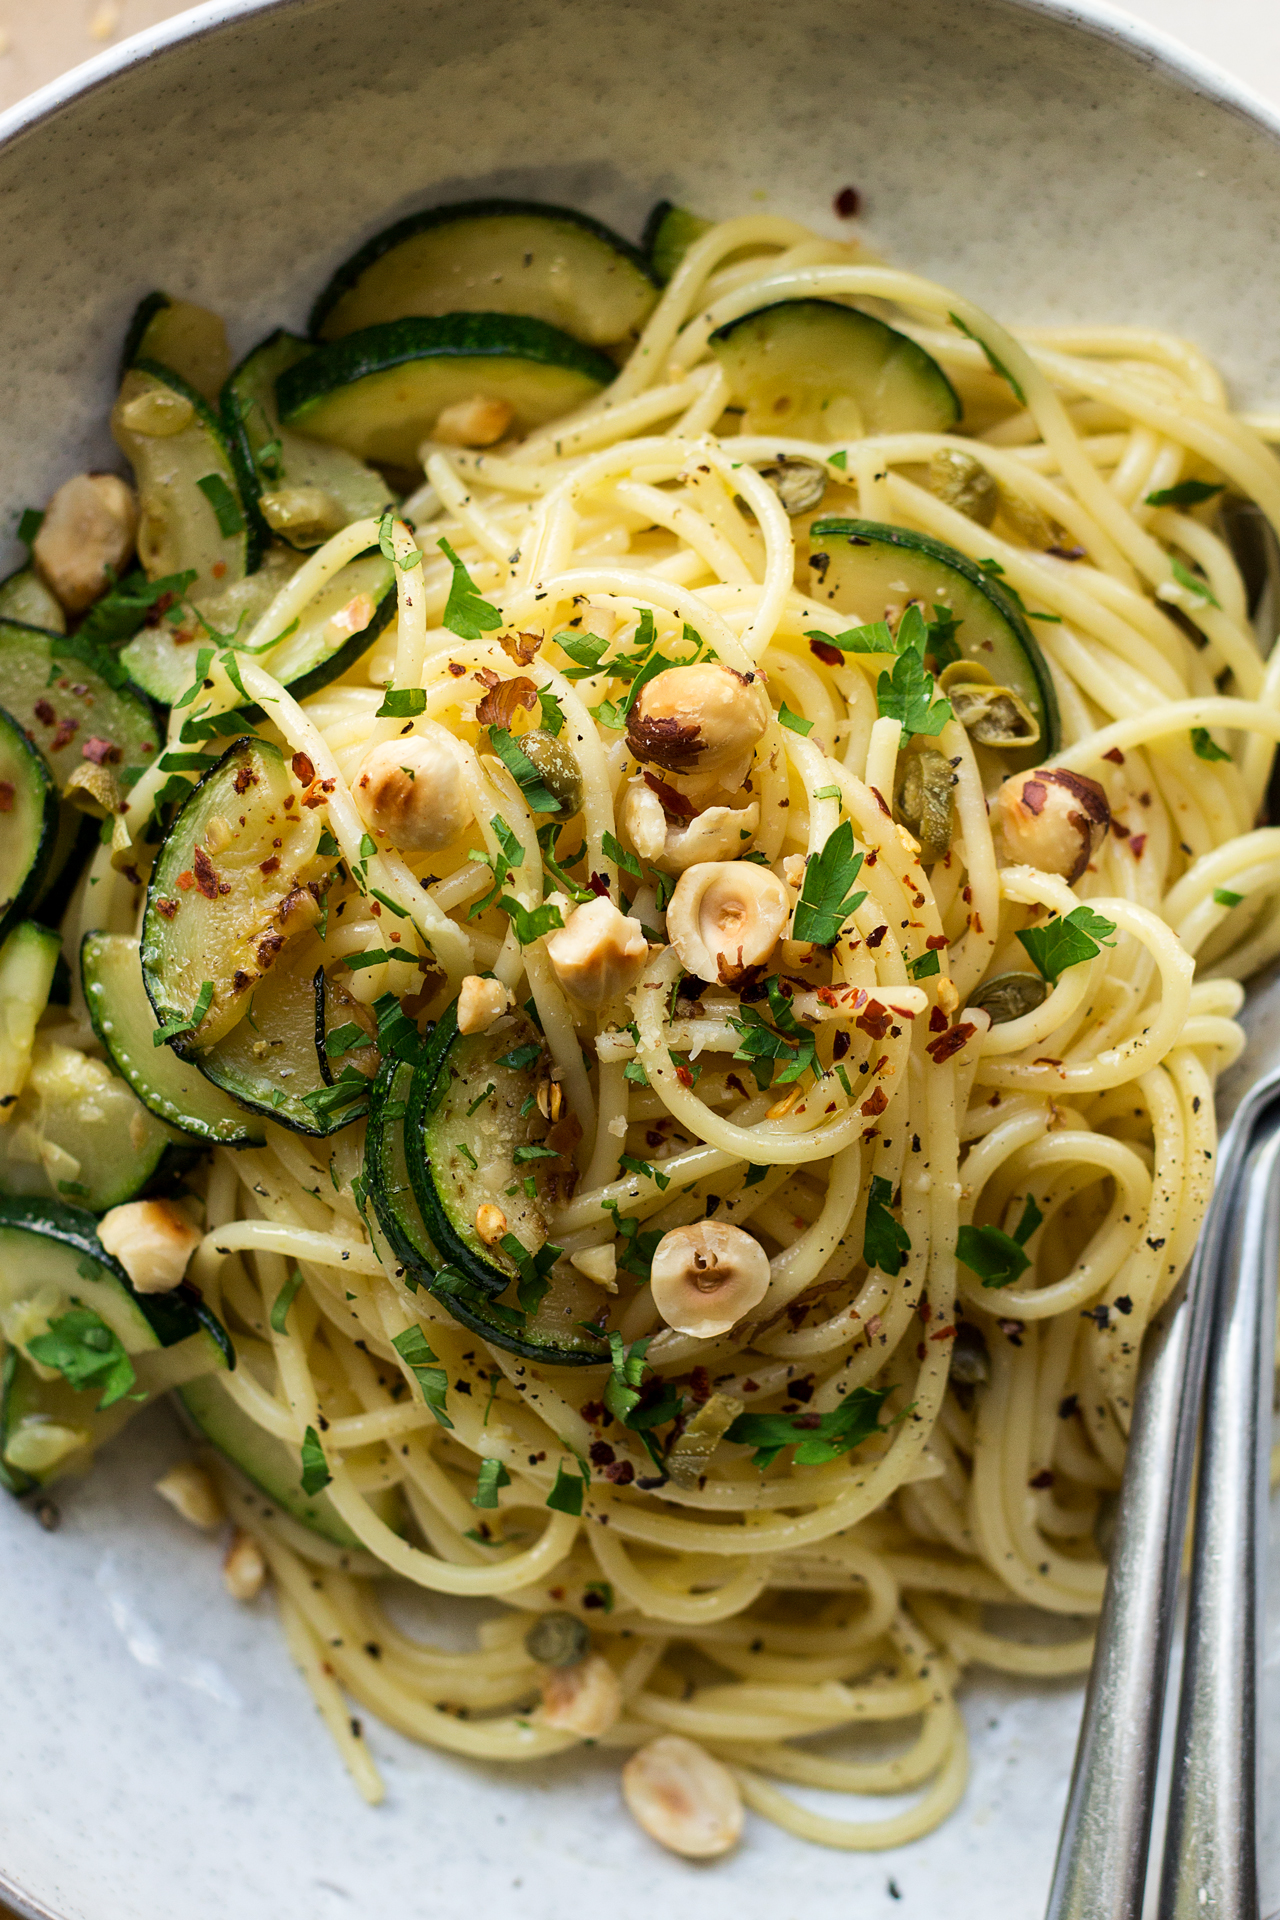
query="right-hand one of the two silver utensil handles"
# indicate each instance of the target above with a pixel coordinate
(1212, 1838)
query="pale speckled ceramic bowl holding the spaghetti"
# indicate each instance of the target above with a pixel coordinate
(158, 1756)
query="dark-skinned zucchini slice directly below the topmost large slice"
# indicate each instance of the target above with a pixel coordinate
(379, 393)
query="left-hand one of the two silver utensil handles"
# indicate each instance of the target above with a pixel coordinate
(1102, 1856)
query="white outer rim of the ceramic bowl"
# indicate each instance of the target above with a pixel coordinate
(1097, 18)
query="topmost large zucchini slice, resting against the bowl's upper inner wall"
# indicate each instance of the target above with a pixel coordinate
(494, 256)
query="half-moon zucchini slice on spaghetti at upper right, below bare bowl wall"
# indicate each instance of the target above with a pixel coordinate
(820, 372)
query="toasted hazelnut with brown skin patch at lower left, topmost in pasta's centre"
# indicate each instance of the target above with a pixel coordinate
(699, 719)
